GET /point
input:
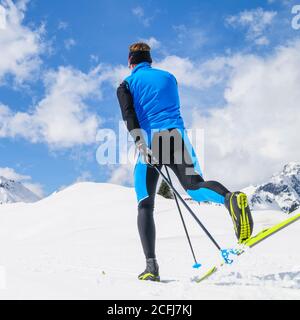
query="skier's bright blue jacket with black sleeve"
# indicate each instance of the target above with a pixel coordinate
(155, 99)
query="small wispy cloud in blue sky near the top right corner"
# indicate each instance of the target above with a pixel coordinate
(256, 21)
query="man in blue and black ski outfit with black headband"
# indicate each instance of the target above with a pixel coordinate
(150, 106)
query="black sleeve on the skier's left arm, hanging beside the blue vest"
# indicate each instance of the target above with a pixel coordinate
(128, 112)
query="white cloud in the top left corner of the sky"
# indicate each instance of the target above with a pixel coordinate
(20, 46)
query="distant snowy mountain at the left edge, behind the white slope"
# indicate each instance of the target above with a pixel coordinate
(12, 191)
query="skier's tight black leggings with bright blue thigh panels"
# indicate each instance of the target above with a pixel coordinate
(186, 172)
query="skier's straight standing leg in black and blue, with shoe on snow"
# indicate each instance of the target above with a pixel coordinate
(146, 179)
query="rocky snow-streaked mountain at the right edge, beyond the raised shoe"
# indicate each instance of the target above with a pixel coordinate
(282, 192)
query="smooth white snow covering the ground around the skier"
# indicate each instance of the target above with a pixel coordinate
(82, 243)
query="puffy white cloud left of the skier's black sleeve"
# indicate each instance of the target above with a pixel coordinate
(62, 116)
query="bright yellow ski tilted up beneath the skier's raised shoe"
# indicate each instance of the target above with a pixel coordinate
(251, 242)
